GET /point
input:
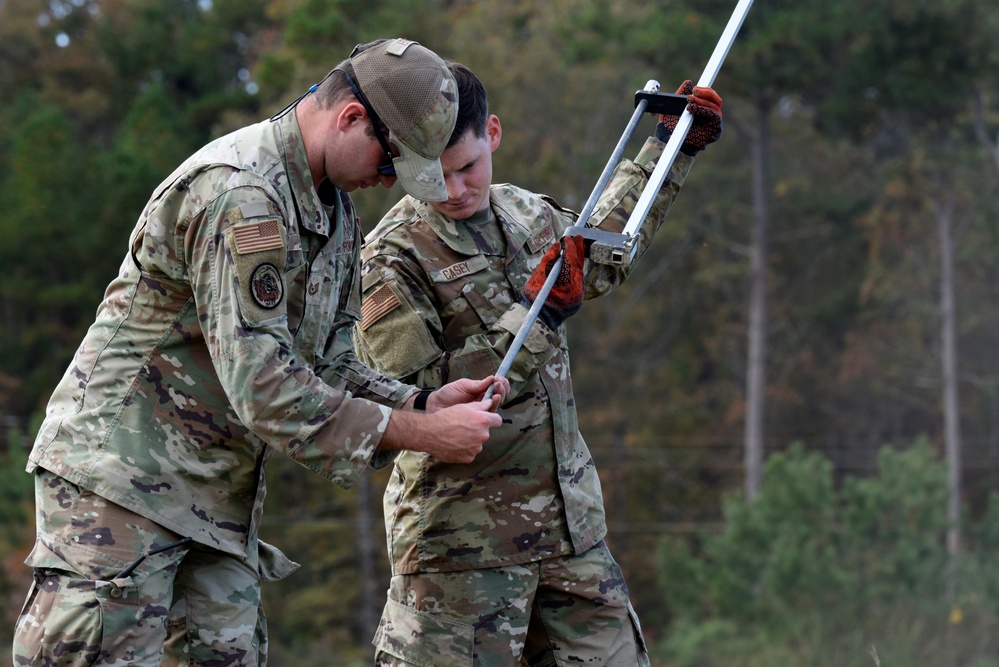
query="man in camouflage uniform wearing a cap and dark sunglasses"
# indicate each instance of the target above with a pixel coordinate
(225, 337)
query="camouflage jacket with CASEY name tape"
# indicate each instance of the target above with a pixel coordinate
(441, 302)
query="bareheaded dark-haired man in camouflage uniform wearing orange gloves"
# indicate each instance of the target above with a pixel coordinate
(501, 561)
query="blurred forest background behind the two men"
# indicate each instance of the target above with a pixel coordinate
(794, 401)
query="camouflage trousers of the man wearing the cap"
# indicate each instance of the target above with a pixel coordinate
(180, 605)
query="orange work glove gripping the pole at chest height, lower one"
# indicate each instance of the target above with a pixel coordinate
(566, 296)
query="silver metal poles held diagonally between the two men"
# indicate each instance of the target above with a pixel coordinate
(652, 187)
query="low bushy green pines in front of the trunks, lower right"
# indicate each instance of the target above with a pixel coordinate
(814, 574)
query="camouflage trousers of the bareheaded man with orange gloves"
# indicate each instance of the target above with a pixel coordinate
(558, 611)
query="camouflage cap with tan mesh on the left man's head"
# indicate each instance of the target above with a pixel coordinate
(415, 95)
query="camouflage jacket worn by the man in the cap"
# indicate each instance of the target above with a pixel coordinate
(226, 333)
